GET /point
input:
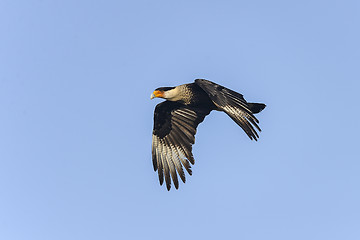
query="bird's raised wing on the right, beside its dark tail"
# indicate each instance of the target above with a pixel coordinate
(233, 104)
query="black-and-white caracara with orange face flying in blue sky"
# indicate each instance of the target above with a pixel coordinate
(176, 120)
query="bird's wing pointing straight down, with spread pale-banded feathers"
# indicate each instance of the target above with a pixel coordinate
(173, 135)
